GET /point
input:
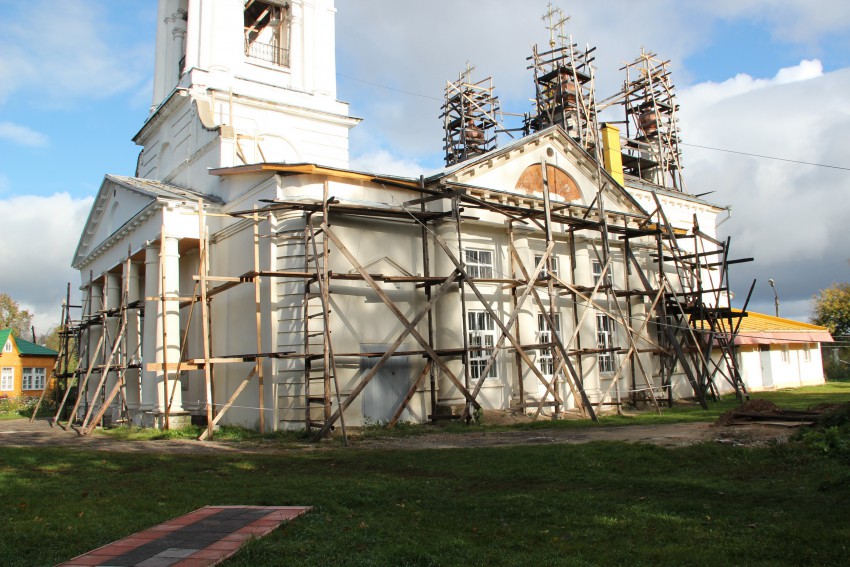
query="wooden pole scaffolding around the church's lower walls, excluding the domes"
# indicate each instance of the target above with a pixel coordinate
(675, 314)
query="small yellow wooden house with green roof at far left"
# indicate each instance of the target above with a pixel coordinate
(26, 368)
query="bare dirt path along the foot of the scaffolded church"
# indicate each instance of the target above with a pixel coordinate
(22, 433)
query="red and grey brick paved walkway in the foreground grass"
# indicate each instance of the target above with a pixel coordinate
(205, 537)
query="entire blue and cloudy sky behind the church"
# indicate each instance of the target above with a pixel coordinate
(73, 95)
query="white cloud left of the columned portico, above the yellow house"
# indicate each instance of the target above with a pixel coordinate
(39, 237)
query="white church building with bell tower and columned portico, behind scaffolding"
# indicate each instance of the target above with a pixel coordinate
(245, 275)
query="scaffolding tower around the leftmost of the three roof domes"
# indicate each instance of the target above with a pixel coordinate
(469, 116)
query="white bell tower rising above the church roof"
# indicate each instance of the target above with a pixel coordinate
(258, 78)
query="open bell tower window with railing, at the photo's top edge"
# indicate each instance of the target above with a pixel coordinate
(267, 25)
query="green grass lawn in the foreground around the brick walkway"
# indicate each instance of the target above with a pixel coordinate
(594, 504)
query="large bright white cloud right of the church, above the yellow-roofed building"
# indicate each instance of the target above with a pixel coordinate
(791, 217)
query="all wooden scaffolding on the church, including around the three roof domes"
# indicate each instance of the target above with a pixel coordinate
(657, 298)
